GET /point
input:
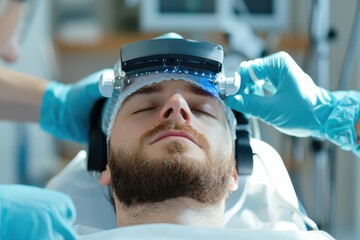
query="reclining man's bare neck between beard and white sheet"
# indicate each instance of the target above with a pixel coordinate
(182, 211)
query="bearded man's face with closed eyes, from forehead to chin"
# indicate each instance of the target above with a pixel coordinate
(169, 140)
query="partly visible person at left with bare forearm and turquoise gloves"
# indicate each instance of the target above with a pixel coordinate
(28, 212)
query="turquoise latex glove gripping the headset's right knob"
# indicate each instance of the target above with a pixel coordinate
(295, 105)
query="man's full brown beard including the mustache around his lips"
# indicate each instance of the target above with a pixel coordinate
(137, 178)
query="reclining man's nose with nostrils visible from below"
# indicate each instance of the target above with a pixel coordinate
(176, 109)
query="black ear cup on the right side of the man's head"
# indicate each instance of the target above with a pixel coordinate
(243, 150)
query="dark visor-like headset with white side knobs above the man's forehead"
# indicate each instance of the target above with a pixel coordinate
(170, 56)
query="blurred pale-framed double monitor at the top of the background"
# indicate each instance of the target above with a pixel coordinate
(198, 15)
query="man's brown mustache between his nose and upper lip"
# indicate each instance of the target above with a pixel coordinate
(173, 125)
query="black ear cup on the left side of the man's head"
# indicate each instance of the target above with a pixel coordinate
(97, 148)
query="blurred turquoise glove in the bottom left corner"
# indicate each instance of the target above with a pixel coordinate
(34, 213)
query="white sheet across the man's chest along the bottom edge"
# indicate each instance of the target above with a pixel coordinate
(171, 231)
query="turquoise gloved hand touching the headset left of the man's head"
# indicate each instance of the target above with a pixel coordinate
(65, 110)
